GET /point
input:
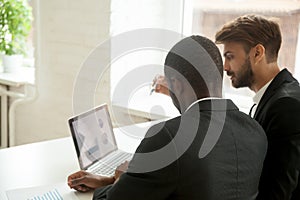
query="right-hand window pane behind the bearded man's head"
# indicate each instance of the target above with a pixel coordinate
(209, 17)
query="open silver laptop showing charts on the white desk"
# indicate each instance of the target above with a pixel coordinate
(95, 142)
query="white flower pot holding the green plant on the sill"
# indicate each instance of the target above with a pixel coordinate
(11, 63)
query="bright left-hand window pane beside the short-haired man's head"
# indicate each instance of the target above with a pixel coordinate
(133, 70)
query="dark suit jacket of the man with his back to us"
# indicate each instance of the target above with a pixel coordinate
(211, 152)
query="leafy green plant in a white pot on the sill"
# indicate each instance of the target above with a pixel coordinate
(15, 25)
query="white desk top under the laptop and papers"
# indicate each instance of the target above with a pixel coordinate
(50, 162)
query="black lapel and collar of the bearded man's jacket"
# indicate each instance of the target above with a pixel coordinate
(282, 77)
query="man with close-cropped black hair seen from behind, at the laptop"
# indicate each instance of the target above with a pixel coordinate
(211, 151)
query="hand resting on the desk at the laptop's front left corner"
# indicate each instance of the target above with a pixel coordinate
(83, 181)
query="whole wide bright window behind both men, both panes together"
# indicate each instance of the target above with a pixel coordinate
(188, 17)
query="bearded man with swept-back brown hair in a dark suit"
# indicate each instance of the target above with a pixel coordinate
(251, 46)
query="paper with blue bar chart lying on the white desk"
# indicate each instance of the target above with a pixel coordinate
(52, 192)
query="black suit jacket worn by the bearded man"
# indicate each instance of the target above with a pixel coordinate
(279, 114)
